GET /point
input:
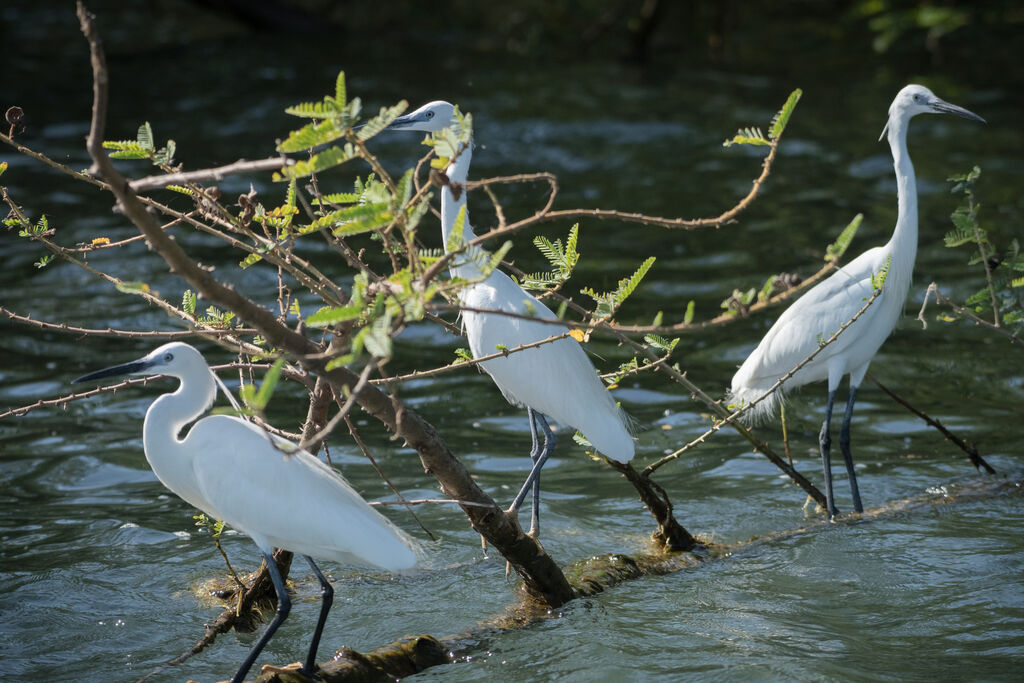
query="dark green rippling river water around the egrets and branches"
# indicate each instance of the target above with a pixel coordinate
(100, 562)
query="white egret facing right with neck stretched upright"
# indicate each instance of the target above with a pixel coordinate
(823, 311)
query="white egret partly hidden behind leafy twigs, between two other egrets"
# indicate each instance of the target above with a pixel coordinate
(556, 380)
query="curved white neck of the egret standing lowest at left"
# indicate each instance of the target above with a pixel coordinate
(164, 422)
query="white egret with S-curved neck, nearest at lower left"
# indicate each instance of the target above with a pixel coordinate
(264, 486)
